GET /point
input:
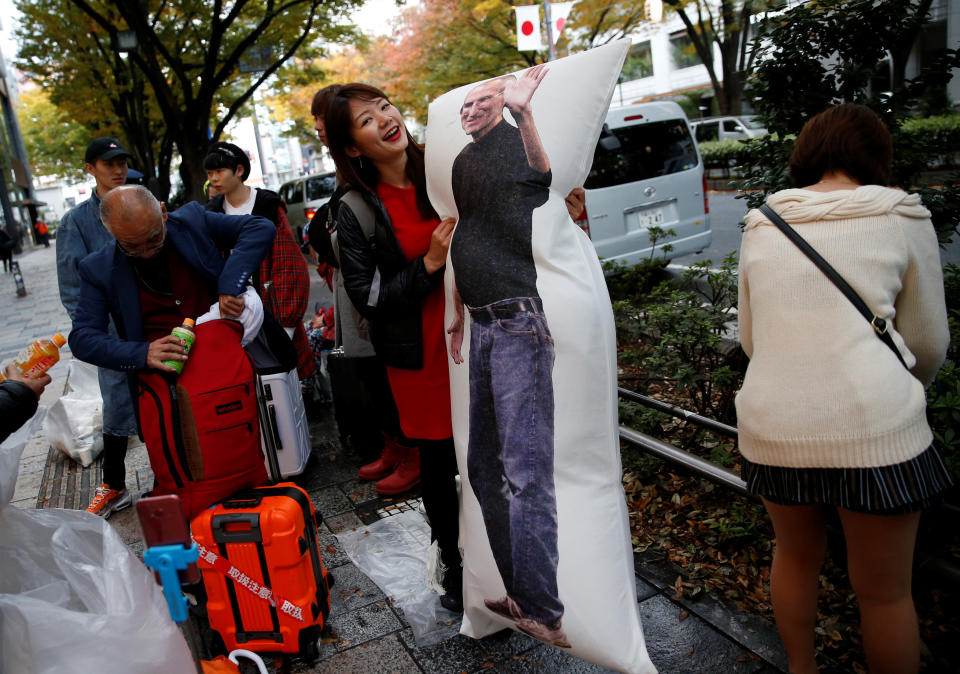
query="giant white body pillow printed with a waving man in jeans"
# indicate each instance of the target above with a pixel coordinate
(572, 344)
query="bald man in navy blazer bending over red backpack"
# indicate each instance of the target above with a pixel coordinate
(162, 268)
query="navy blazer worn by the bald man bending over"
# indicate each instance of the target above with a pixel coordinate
(108, 286)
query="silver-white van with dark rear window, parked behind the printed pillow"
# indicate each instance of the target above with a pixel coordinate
(646, 172)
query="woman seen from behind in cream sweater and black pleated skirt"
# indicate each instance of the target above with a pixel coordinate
(828, 416)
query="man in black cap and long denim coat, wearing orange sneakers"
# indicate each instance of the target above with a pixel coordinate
(80, 234)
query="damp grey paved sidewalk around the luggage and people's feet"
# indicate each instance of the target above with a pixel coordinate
(367, 632)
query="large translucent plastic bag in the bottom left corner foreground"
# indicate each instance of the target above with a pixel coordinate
(73, 598)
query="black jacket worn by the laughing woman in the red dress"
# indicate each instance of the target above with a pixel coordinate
(392, 298)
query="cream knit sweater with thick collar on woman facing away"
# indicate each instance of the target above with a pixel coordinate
(821, 389)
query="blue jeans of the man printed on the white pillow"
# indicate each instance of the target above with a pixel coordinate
(510, 453)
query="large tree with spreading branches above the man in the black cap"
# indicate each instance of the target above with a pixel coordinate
(187, 60)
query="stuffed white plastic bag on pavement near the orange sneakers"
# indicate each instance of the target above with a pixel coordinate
(75, 421)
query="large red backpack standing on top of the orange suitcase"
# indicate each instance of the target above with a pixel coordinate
(201, 428)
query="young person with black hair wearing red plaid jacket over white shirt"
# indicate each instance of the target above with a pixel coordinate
(283, 279)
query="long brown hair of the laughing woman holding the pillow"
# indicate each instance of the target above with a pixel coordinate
(363, 175)
